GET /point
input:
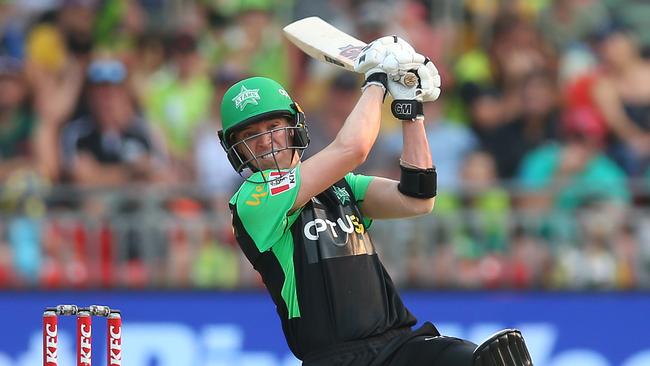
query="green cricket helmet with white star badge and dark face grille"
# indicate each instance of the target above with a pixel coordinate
(253, 100)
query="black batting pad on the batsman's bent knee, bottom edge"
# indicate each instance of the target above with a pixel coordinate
(506, 348)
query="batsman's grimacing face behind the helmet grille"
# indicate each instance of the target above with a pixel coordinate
(268, 142)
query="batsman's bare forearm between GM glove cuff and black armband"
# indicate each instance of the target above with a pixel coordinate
(415, 149)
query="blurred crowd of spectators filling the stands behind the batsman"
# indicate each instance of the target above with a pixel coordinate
(111, 173)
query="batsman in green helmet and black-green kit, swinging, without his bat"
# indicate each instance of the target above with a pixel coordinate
(303, 225)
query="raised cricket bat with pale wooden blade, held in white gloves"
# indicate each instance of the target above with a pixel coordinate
(326, 43)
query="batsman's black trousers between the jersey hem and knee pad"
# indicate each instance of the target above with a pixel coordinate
(422, 347)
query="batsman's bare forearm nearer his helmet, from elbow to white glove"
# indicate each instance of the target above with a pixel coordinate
(361, 128)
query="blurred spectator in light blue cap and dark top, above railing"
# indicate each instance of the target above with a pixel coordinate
(111, 145)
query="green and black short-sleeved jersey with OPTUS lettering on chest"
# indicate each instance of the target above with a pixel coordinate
(318, 263)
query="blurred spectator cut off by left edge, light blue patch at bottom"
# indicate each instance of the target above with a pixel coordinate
(21, 188)
